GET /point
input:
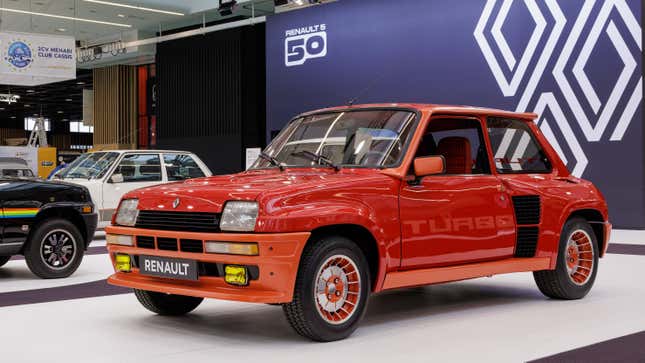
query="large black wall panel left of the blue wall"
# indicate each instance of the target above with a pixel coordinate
(211, 95)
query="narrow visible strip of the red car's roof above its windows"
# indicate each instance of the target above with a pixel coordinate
(434, 109)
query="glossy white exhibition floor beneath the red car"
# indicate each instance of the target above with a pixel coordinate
(499, 319)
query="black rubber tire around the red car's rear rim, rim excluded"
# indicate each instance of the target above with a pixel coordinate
(559, 283)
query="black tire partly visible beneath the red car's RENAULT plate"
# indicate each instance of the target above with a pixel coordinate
(167, 304)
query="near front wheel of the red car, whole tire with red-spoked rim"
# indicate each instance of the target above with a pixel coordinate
(331, 290)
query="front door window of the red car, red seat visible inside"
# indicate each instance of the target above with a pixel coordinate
(460, 142)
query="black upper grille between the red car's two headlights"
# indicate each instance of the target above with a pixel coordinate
(178, 221)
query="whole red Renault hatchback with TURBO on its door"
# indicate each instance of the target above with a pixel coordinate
(351, 201)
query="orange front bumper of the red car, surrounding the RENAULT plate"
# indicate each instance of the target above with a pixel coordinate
(277, 262)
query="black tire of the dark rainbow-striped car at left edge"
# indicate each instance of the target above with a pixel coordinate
(36, 250)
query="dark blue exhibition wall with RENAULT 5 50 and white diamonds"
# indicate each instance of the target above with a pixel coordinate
(577, 63)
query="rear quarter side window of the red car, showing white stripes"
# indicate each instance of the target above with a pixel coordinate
(515, 149)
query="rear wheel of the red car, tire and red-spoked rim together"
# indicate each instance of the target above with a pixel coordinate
(577, 263)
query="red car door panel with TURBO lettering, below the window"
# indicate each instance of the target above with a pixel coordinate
(455, 219)
